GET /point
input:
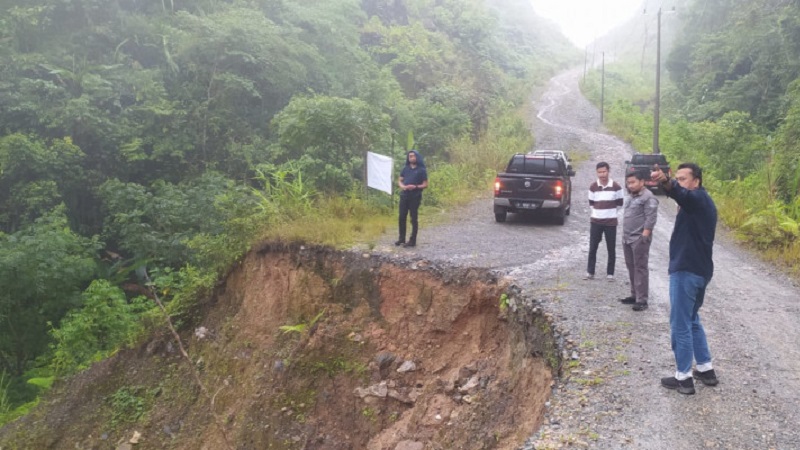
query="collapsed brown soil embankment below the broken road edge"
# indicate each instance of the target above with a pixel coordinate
(310, 348)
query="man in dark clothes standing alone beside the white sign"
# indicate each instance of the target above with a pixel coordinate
(413, 179)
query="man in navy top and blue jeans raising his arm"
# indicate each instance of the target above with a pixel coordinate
(690, 270)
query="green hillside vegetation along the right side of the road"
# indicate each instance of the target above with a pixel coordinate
(730, 102)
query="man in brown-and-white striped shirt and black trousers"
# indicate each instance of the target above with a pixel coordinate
(605, 198)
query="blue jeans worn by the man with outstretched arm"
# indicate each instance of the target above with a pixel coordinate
(686, 293)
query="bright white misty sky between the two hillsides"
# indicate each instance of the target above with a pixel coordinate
(584, 20)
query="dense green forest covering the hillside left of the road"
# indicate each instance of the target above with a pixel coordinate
(163, 137)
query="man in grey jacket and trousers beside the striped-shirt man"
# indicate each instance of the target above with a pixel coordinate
(641, 212)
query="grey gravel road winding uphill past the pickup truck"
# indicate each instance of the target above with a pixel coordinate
(609, 395)
